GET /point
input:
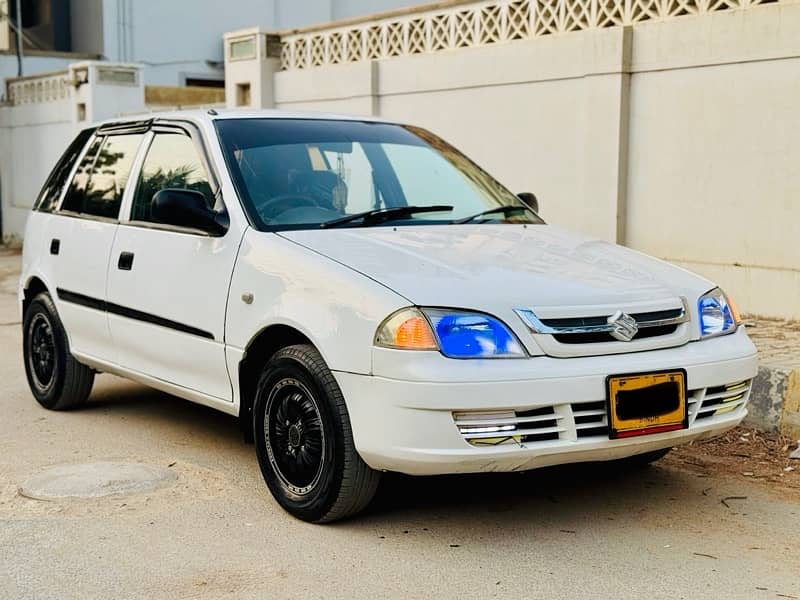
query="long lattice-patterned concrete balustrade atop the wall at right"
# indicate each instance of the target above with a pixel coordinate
(460, 24)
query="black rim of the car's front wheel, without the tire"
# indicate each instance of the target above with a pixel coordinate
(294, 436)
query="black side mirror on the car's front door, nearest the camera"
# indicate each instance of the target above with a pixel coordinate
(187, 208)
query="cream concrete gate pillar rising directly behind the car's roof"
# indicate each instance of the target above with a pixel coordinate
(252, 57)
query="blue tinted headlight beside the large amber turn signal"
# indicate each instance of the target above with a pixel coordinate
(473, 335)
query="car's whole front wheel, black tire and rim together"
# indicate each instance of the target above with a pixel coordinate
(304, 442)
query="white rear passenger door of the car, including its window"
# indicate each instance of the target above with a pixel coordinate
(80, 235)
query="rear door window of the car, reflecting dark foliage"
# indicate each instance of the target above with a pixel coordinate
(100, 180)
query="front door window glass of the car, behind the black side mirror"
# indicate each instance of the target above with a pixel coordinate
(172, 161)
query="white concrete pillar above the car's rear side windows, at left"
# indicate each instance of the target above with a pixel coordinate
(104, 90)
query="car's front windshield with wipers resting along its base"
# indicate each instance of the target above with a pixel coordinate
(310, 173)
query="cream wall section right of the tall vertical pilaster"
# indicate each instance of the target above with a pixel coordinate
(715, 152)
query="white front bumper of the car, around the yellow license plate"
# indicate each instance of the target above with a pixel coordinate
(407, 424)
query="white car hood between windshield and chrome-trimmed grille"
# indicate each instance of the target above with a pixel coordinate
(494, 267)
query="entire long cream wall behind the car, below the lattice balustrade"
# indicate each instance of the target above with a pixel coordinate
(679, 138)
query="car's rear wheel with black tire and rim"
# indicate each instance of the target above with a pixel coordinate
(56, 379)
